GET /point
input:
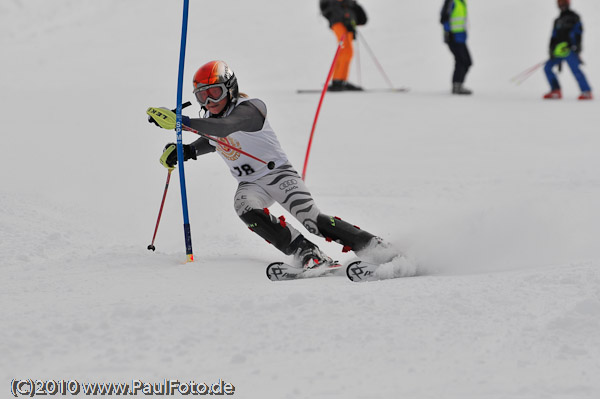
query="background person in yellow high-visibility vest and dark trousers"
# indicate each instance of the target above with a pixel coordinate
(454, 20)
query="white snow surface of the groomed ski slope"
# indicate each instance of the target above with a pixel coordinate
(495, 195)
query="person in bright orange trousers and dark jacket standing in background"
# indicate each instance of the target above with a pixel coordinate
(343, 17)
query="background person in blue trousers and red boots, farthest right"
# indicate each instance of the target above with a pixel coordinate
(565, 45)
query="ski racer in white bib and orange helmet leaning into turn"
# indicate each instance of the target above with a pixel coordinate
(232, 117)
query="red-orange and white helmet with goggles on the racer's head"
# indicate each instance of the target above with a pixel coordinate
(213, 81)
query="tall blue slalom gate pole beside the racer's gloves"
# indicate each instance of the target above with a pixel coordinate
(178, 123)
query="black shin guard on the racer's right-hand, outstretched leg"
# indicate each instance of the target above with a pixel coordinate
(350, 236)
